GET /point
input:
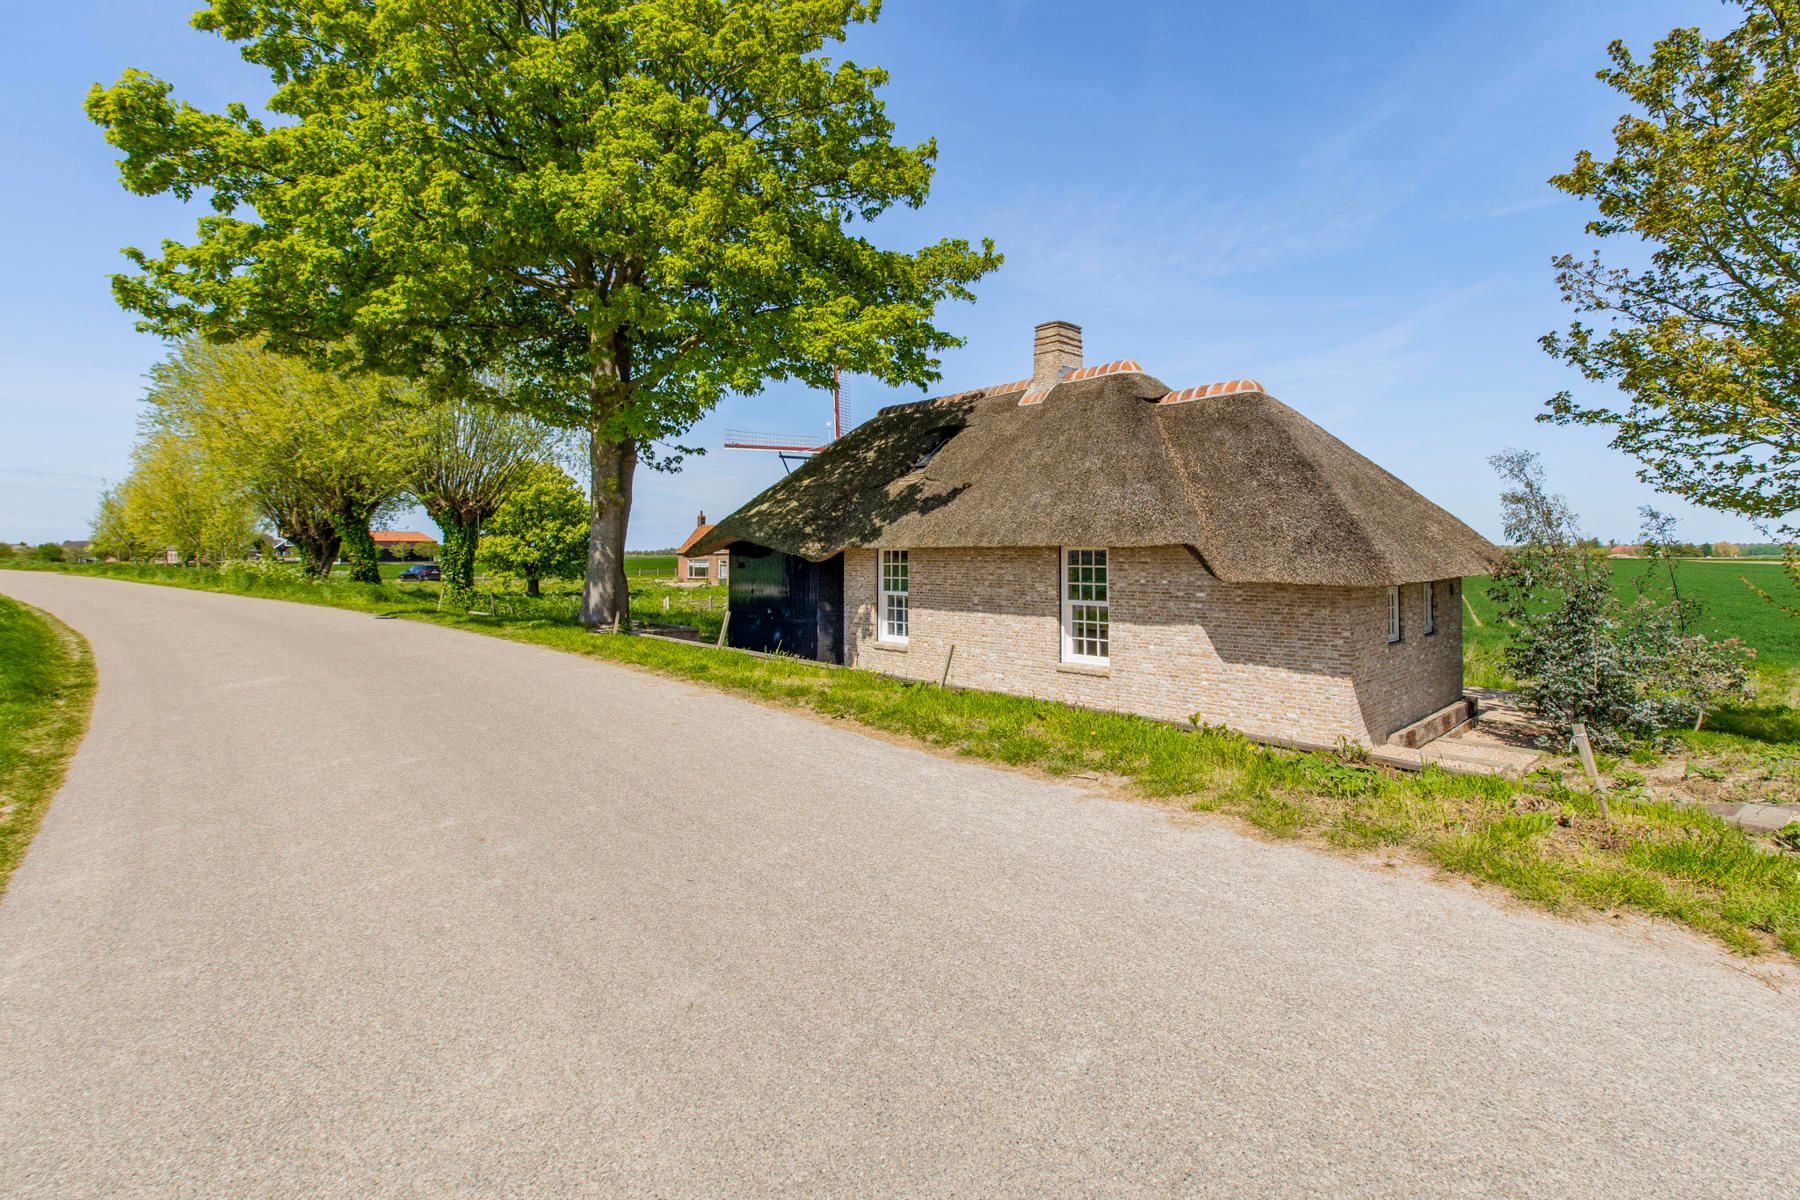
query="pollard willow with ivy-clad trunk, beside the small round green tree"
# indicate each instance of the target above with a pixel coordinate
(467, 461)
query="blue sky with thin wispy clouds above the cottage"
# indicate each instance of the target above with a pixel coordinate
(1345, 202)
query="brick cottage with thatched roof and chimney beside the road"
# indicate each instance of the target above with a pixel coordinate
(1097, 537)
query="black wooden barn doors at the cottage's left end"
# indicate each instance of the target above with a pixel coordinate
(787, 604)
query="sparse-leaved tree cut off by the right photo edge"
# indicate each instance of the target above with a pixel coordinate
(1705, 339)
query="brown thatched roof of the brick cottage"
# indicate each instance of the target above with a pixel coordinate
(1254, 488)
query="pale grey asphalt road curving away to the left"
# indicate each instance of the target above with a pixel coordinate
(352, 908)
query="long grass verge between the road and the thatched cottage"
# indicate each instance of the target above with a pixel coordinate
(1542, 841)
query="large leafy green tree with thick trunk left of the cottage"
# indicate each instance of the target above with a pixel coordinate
(633, 206)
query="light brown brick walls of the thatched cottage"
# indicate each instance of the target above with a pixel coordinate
(1268, 659)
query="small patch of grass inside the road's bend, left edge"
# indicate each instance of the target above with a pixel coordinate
(46, 695)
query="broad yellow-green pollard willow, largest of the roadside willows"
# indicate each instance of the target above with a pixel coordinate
(319, 454)
